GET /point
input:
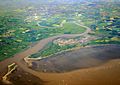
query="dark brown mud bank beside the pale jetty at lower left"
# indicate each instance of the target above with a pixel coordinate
(20, 77)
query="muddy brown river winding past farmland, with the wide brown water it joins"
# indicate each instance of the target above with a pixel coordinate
(105, 74)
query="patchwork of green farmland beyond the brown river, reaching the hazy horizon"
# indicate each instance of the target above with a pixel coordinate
(19, 27)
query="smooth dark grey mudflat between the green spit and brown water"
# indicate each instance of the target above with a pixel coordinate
(78, 59)
